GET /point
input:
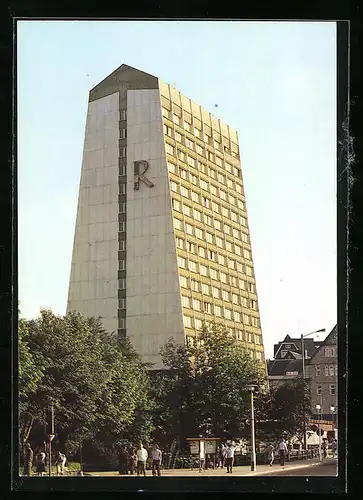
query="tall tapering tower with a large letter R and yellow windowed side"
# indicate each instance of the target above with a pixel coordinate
(161, 240)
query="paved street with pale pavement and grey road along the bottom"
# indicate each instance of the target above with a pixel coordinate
(298, 468)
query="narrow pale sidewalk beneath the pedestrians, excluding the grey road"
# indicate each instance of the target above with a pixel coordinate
(237, 471)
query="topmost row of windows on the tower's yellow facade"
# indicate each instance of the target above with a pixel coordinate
(205, 132)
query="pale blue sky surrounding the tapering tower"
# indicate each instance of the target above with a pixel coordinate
(272, 81)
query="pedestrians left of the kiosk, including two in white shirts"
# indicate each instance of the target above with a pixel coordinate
(132, 459)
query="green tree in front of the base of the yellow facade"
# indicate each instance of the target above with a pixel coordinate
(204, 391)
